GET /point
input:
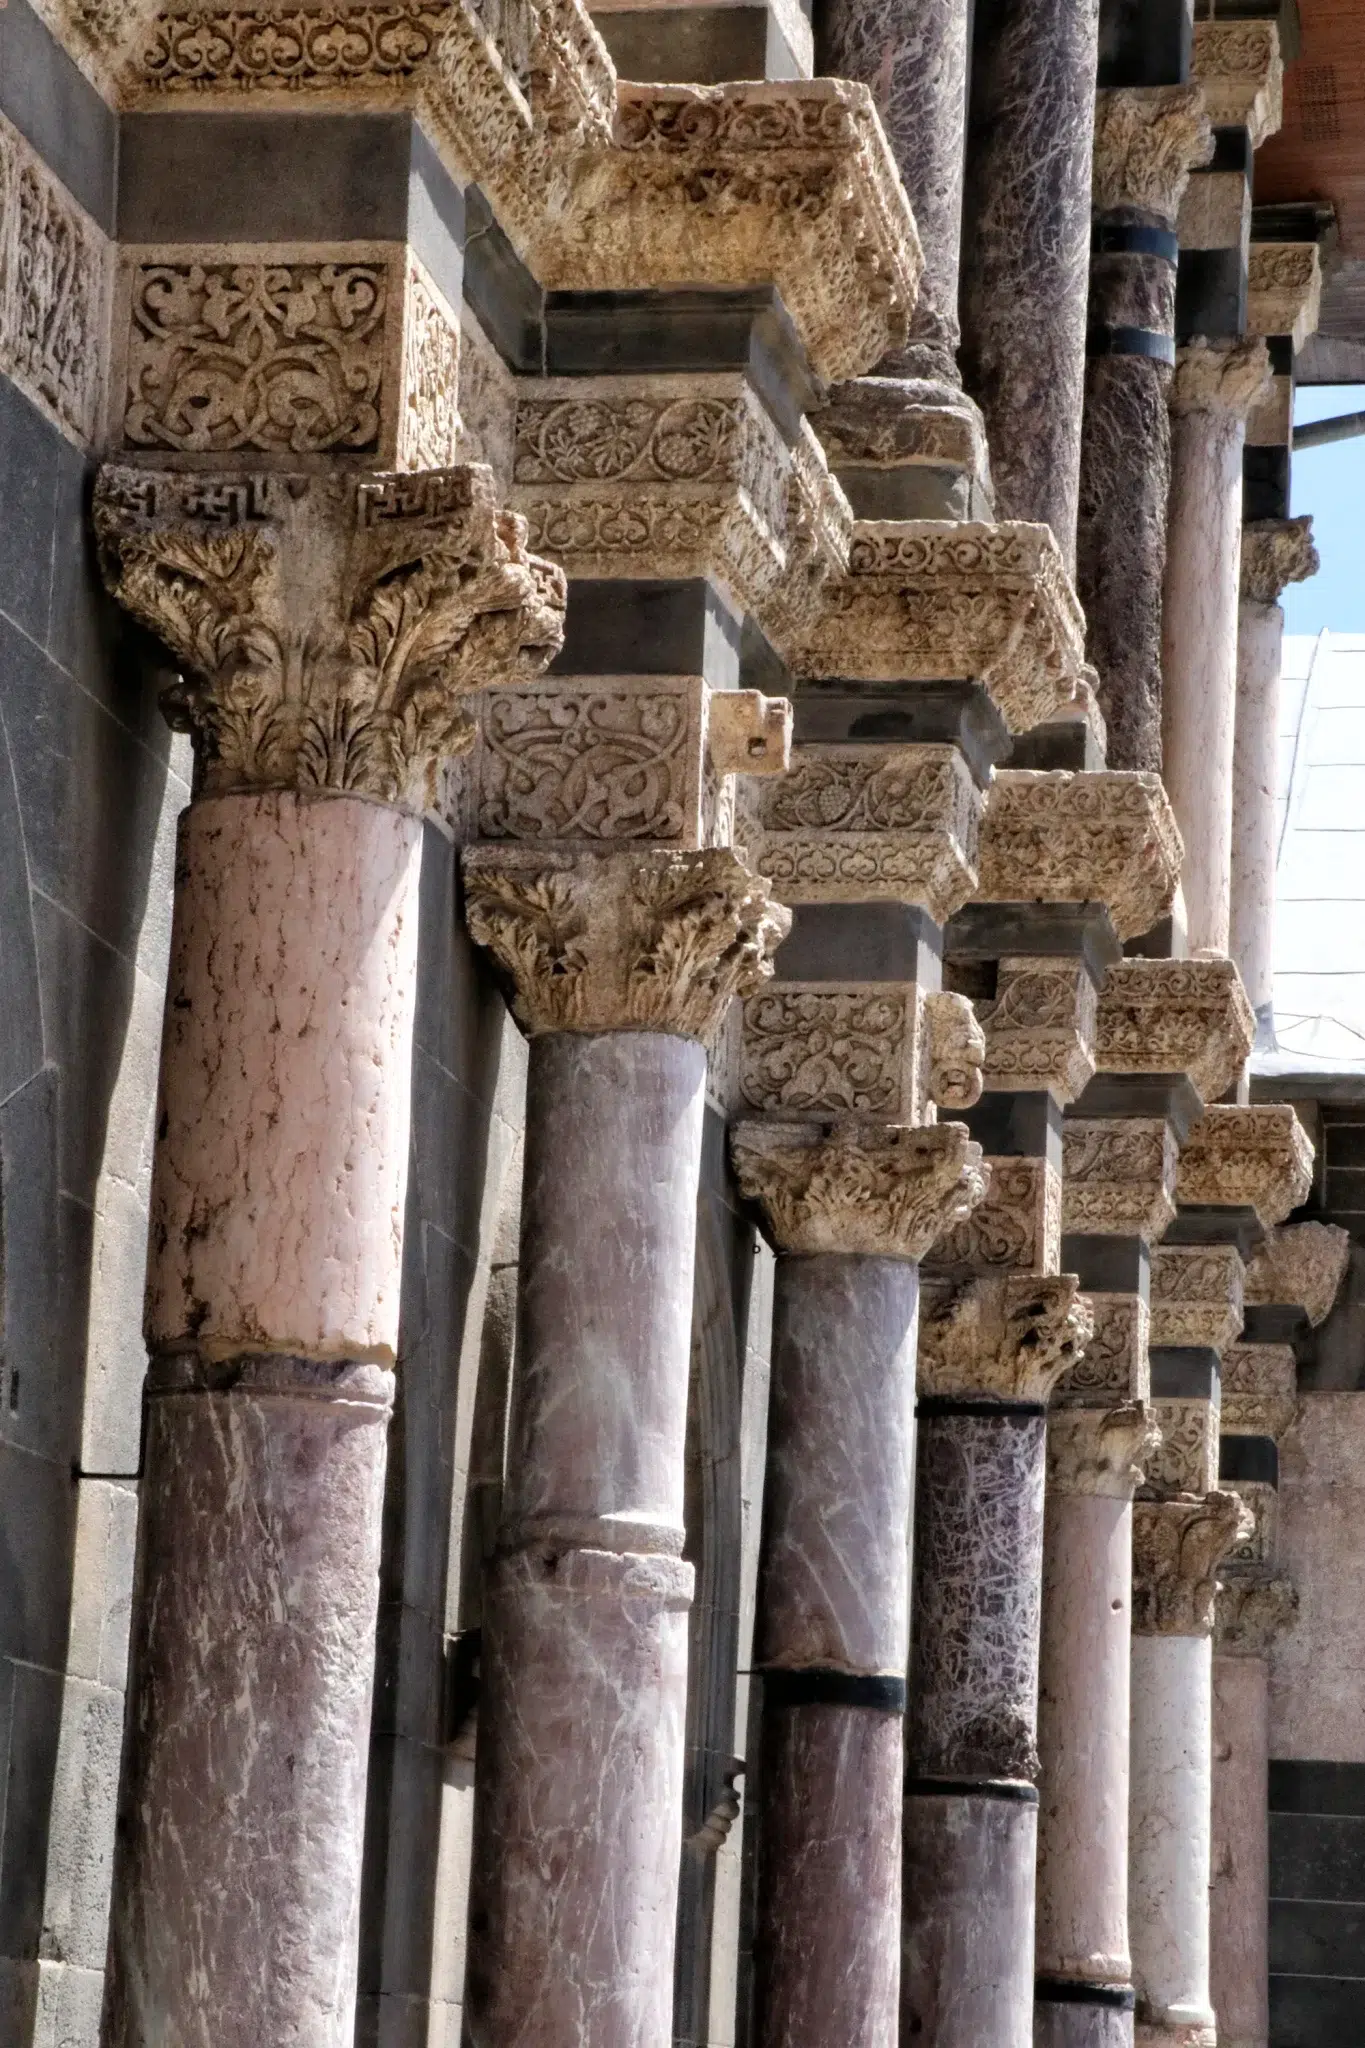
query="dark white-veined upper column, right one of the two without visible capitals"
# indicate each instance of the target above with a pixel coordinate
(1026, 249)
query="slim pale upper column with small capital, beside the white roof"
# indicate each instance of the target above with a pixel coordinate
(1274, 554)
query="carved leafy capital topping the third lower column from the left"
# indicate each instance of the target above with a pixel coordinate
(875, 1191)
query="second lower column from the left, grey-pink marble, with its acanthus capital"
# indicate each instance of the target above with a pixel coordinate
(623, 966)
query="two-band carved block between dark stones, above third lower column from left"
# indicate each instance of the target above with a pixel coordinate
(889, 824)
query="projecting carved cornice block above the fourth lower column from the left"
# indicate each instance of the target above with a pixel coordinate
(1108, 837)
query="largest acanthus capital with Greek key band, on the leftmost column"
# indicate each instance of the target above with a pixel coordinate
(331, 626)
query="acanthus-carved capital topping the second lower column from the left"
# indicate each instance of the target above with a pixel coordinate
(633, 941)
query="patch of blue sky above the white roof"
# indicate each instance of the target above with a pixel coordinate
(1331, 484)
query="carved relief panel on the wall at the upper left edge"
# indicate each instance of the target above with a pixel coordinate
(54, 294)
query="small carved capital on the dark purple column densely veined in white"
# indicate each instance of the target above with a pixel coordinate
(1006, 1336)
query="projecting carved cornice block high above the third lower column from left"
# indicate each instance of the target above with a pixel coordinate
(930, 599)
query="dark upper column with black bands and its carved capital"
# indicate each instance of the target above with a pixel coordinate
(1145, 148)
